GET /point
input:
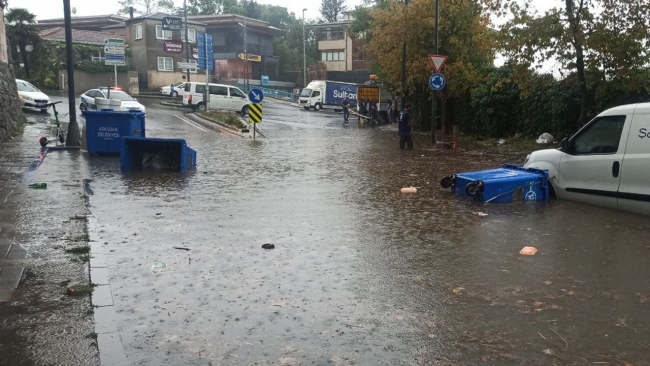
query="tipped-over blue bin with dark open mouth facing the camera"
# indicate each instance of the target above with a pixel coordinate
(140, 153)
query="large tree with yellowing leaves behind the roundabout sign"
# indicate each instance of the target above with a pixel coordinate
(464, 37)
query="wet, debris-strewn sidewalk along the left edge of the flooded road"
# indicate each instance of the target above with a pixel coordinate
(39, 231)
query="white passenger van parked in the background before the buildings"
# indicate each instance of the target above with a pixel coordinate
(222, 97)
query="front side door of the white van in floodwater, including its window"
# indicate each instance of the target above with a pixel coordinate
(590, 171)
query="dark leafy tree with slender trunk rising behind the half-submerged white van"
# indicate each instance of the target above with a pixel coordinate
(584, 35)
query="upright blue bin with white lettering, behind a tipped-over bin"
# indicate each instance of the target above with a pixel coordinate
(105, 130)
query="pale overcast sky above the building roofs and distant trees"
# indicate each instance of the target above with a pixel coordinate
(48, 9)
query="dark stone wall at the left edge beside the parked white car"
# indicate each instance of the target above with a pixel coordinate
(11, 115)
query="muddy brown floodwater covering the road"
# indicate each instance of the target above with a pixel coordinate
(361, 273)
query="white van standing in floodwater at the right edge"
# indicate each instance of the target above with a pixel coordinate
(606, 163)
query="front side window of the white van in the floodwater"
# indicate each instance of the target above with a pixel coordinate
(601, 137)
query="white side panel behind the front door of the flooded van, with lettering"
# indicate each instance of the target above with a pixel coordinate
(634, 192)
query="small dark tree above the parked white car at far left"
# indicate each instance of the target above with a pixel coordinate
(21, 31)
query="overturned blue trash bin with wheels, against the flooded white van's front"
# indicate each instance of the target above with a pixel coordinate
(510, 183)
